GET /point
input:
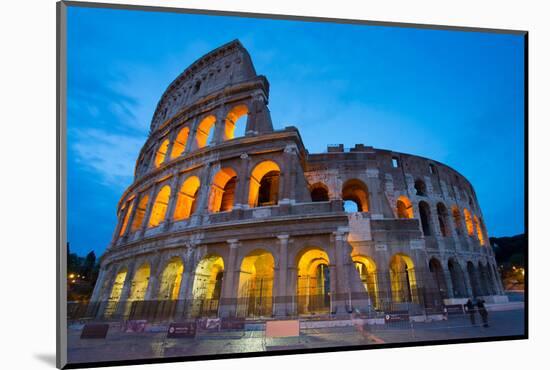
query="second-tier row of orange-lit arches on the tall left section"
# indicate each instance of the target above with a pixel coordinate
(263, 191)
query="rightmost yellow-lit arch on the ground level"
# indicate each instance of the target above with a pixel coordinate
(403, 279)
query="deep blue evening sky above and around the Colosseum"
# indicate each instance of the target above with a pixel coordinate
(456, 97)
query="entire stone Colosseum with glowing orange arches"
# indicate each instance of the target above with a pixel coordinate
(228, 217)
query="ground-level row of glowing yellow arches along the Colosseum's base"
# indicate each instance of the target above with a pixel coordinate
(314, 283)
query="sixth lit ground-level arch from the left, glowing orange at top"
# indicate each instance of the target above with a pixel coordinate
(313, 282)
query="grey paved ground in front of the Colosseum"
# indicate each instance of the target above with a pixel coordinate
(123, 346)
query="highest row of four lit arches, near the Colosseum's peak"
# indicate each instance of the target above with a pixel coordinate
(234, 125)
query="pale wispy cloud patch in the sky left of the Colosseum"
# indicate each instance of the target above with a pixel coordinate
(110, 156)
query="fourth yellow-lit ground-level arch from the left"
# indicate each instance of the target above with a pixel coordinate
(207, 286)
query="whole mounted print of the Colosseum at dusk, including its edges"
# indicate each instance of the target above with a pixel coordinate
(234, 184)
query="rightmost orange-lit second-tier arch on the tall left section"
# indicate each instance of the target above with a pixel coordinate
(264, 185)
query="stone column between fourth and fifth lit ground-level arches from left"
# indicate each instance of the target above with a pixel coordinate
(228, 301)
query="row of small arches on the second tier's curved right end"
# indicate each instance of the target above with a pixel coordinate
(473, 224)
